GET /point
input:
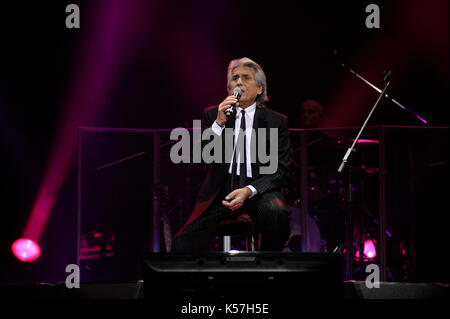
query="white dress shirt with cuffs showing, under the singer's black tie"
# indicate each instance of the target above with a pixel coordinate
(249, 116)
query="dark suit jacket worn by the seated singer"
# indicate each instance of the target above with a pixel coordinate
(217, 172)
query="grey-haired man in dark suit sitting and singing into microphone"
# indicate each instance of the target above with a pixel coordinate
(238, 184)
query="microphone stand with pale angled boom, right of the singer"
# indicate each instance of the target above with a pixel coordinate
(386, 79)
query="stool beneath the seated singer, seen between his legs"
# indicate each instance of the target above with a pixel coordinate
(242, 224)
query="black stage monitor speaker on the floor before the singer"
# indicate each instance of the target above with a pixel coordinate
(174, 282)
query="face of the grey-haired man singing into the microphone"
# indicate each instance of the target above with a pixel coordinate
(244, 78)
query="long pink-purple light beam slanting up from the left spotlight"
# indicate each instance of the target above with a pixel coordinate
(101, 57)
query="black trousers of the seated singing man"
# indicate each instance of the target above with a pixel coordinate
(268, 210)
